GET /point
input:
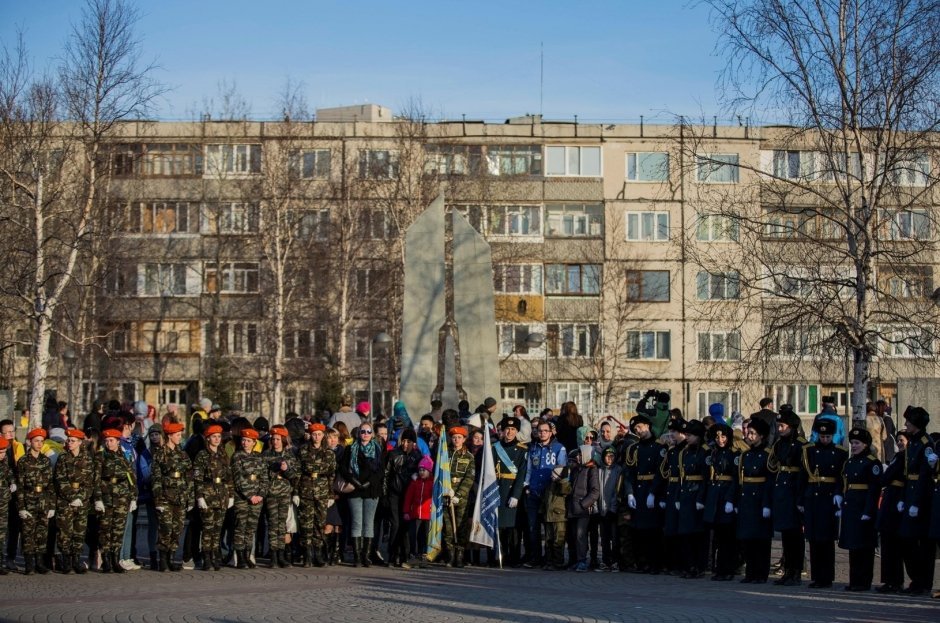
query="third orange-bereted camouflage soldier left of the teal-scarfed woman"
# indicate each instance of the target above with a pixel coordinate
(250, 475)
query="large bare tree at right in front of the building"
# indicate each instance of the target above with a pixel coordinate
(835, 225)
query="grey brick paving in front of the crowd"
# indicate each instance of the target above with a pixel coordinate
(345, 593)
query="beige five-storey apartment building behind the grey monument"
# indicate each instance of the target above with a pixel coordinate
(607, 243)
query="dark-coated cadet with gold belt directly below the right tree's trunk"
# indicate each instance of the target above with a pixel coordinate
(861, 489)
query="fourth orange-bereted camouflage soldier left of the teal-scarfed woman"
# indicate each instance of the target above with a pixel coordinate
(212, 474)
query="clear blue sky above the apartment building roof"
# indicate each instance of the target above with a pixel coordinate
(604, 60)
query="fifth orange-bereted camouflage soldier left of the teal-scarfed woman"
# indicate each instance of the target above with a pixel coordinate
(172, 493)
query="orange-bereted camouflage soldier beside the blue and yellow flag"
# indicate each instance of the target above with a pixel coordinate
(462, 474)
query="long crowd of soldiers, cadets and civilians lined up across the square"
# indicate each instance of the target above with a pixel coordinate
(659, 494)
